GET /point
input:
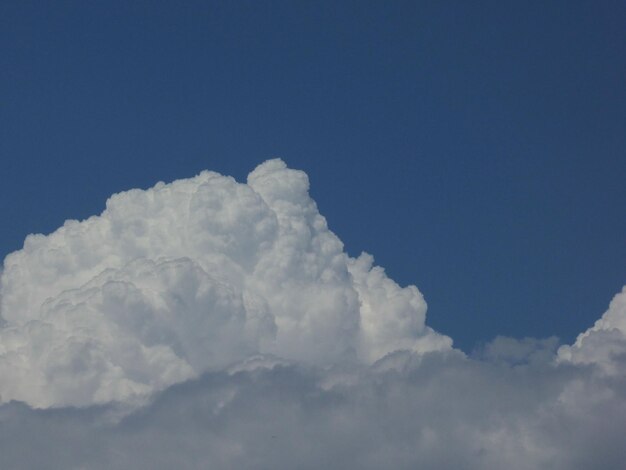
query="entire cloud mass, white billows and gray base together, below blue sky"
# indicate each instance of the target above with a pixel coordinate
(211, 324)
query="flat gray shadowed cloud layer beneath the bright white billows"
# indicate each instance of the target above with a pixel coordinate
(439, 410)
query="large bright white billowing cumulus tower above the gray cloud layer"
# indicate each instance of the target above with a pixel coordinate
(193, 276)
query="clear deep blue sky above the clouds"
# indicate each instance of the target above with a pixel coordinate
(476, 149)
